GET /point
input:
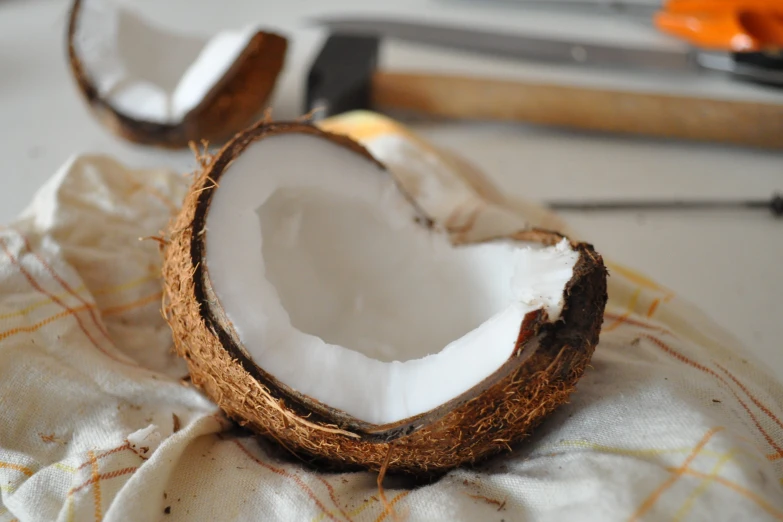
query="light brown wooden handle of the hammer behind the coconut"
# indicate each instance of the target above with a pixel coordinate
(659, 115)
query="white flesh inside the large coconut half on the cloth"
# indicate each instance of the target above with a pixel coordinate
(337, 291)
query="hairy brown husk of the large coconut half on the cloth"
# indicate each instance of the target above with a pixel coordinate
(549, 358)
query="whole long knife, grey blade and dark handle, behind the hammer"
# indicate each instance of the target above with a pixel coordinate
(762, 67)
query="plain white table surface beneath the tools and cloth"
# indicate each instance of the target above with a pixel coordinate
(729, 263)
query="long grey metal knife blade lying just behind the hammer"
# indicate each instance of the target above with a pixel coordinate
(520, 46)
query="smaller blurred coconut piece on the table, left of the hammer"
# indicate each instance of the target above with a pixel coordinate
(151, 86)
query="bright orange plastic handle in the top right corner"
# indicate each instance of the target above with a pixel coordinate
(725, 25)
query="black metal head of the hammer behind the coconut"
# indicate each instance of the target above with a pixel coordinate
(340, 78)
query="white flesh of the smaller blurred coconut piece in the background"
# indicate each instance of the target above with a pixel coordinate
(148, 73)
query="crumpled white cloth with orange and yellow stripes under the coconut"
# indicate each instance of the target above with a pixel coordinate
(673, 421)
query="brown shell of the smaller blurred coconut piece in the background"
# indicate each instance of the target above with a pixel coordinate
(230, 106)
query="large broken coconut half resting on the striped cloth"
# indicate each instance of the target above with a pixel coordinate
(316, 304)
